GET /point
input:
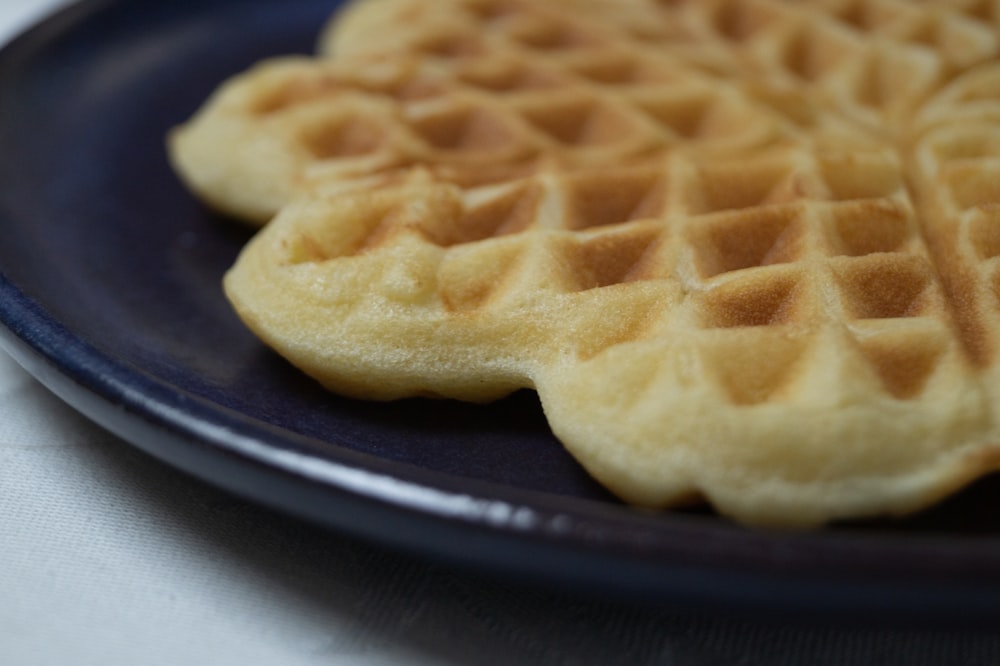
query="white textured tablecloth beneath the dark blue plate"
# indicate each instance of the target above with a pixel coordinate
(109, 557)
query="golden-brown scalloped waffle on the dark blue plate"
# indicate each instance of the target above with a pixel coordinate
(746, 252)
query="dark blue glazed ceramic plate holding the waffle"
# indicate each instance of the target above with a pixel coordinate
(109, 292)
